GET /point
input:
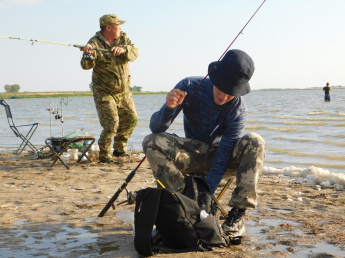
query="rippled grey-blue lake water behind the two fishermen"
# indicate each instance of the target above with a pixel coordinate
(299, 128)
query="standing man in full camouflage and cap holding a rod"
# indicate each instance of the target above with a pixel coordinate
(110, 85)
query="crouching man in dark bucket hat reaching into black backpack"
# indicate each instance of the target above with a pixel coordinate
(214, 119)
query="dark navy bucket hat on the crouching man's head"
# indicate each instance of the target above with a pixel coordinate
(232, 73)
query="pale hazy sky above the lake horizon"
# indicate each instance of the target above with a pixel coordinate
(294, 43)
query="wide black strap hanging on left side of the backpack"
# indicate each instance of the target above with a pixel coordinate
(146, 208)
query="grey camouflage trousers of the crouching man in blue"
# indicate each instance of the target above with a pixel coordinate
(171, 157)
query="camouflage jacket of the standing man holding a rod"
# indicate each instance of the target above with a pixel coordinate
(110, 73)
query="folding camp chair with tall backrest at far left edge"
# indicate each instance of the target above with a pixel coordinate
(25, 138)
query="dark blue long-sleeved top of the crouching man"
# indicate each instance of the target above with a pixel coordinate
(208, 122)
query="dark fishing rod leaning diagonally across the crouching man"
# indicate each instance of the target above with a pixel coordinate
(131, 175)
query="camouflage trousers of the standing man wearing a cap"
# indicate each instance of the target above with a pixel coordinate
(118, 117)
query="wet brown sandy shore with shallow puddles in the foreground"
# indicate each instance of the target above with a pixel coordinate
(53, 212)
